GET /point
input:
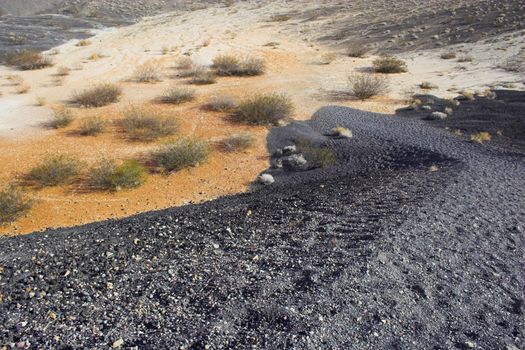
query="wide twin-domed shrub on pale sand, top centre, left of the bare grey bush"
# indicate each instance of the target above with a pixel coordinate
(232, 65)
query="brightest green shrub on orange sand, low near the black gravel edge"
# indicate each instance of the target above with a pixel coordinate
(108, 175)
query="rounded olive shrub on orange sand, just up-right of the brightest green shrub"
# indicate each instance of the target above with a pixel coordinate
(180, 154)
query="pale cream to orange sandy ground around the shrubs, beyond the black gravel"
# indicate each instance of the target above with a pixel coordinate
(293, 47)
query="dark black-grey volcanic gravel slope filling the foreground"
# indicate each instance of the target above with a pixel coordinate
(378, 252)
